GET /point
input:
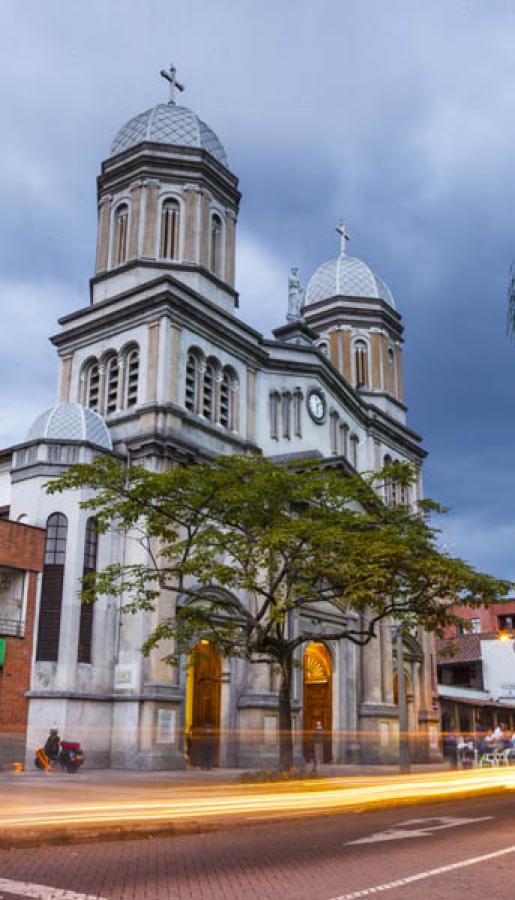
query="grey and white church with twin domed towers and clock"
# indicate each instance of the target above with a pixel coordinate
(160, 368)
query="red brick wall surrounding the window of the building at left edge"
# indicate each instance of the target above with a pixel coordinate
(21, 547)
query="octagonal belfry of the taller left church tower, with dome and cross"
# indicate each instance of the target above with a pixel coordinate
(167, 200)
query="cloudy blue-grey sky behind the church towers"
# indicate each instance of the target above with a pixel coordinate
(398, 116)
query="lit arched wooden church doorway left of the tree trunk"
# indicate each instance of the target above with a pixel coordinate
(202, 719)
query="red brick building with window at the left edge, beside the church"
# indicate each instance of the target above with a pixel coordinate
(21, 561)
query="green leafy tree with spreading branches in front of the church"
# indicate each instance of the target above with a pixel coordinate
(247, 546)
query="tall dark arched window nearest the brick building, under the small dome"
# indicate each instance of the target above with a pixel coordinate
(49, 625)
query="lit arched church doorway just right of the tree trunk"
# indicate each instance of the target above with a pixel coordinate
(318, 699)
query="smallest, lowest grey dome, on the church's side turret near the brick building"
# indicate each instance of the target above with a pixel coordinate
(71, 422)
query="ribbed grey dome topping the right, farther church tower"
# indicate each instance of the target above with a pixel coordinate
(346, 276)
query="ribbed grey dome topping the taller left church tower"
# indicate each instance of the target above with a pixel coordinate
(167, 123)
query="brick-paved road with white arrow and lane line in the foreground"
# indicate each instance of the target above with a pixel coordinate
(333, 857)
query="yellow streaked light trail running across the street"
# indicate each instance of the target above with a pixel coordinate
(221, 802)
